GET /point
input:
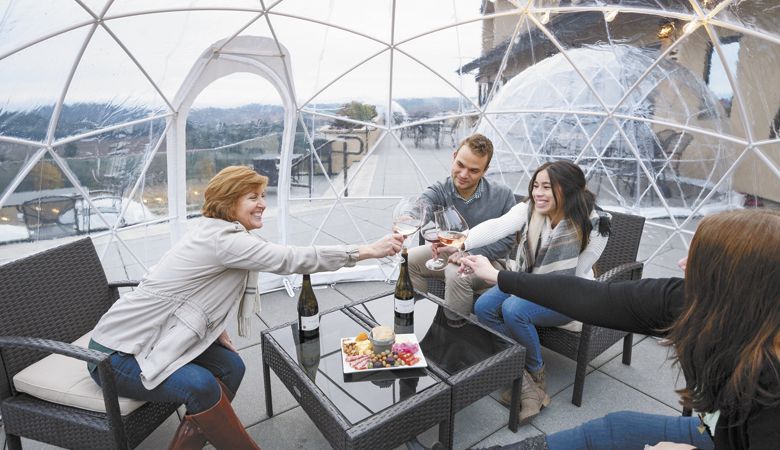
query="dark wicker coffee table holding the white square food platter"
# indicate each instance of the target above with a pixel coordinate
(374, 410)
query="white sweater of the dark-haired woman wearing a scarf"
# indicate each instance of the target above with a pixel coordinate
(514, 220)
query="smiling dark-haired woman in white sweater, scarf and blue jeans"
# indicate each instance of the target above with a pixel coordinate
(559, 231)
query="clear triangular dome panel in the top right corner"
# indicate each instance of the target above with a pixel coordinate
(756, 15)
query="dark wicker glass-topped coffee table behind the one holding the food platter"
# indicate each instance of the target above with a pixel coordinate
(471, 358)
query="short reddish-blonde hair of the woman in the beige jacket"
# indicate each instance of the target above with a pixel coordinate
(224, 190)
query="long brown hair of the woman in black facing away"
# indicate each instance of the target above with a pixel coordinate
(725, 336)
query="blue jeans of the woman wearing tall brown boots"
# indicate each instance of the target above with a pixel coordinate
(194, 384)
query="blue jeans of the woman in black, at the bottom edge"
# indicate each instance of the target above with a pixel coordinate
(631, 430)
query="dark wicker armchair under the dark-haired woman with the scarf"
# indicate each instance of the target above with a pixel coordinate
(615, 264)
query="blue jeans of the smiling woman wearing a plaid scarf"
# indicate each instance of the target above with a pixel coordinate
(516, 317)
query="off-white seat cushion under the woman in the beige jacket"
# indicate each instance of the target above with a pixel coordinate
(66, 381)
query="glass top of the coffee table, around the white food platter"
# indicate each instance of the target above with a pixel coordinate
(357, 396)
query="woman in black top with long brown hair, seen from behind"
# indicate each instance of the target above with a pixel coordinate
(723, 321)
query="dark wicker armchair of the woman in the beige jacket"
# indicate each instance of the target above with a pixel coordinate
(50, 299)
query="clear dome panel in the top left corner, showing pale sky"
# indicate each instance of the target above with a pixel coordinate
(25, 22)
